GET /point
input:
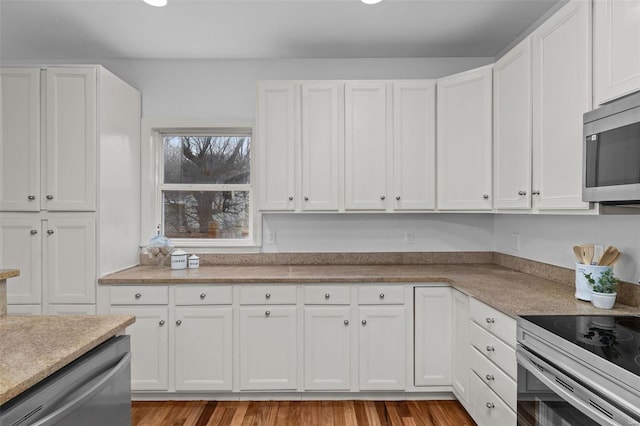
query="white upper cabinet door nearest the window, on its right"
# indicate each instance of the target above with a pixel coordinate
(277, 120)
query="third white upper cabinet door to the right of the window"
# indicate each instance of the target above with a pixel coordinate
(365, 145)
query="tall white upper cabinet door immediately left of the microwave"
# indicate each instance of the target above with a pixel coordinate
(561, 95)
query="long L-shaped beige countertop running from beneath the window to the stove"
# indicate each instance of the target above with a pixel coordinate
(512, 292)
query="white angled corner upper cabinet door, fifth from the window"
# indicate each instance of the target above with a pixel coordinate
(464, 140)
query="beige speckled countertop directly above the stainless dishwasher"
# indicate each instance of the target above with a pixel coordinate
(34, 347)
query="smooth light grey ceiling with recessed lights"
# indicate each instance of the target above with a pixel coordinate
(216, 29)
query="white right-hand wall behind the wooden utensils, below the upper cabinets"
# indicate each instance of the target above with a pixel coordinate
(549, 238)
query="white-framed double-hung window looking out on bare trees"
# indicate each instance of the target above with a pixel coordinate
(203, 197)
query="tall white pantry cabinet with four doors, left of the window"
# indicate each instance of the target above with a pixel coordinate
(69, 183)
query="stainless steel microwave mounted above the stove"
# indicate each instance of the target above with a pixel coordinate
(611, 171)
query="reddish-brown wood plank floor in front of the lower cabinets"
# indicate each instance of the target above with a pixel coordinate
(299, 413)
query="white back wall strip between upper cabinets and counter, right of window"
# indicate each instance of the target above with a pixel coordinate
(377, 232)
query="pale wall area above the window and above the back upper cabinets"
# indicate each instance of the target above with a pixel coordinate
(224, 90)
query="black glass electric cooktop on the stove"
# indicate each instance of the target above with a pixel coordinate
(614, 338)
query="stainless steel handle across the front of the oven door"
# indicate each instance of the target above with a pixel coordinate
(590, 403)
